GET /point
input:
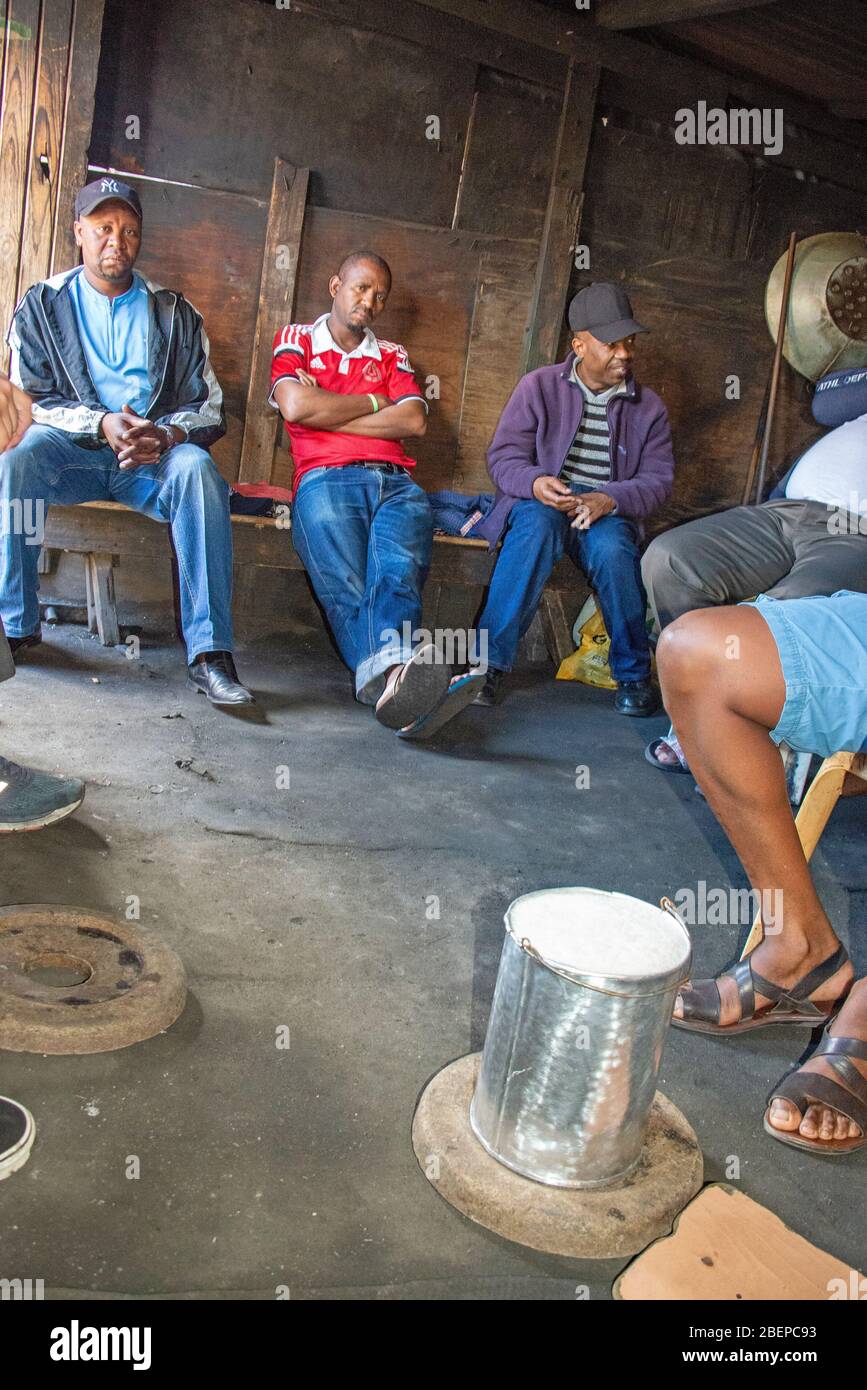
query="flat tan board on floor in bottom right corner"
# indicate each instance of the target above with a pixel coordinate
(726, 1246)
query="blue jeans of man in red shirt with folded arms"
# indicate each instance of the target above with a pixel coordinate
(365, 537)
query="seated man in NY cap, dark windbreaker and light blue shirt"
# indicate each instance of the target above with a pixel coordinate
(126, 405)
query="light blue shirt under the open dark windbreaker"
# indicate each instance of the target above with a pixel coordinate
(115, 340)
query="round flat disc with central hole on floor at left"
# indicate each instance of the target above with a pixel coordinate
(79, 982)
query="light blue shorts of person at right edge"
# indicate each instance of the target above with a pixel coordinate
(823, 653)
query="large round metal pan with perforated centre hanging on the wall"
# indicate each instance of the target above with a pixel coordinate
(827, 320)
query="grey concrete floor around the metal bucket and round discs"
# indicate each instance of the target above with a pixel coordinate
(308, 907)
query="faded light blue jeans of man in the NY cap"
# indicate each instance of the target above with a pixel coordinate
(184, 490)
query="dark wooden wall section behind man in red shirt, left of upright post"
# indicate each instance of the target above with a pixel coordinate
(458, 218)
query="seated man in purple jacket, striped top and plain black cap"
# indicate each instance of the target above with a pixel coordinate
(581, 458)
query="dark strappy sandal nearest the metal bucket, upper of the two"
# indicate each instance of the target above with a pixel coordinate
(702, 1001)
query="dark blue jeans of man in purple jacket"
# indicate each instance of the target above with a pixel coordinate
(536, 539)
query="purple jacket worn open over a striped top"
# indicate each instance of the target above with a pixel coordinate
(537, 430)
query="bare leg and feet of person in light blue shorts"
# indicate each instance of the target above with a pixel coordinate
(725, 690)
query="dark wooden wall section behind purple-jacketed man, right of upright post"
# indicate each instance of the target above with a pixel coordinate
(694, 234)
